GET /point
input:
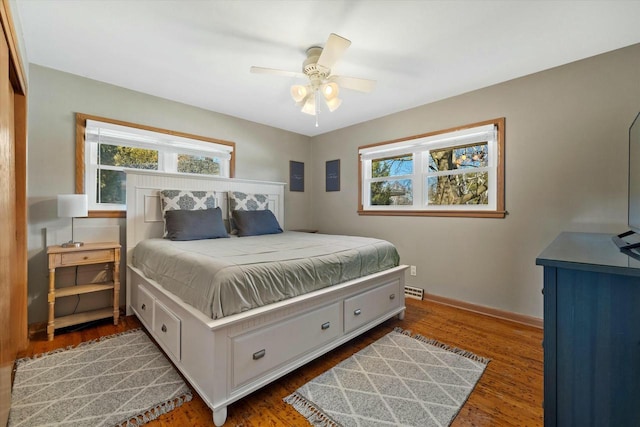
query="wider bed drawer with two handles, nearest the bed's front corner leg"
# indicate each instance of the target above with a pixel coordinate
(259, 351)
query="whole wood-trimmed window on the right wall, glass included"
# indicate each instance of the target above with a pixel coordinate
(455, 172)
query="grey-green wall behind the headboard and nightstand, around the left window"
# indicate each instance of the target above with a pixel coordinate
(262, 153)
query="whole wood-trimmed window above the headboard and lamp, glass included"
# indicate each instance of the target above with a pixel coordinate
(109, 148)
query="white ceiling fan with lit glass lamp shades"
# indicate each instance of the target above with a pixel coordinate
(322, 84)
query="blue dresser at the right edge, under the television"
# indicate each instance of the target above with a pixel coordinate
(591, 332)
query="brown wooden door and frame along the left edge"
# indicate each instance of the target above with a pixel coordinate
(13, 283)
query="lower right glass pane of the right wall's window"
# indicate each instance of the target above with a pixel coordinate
(459, 189)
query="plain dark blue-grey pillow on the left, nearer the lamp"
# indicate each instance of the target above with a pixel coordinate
(195, 224)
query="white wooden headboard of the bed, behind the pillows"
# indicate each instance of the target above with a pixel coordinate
(144, 214)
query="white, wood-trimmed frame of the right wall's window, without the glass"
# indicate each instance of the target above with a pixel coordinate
(419, 146)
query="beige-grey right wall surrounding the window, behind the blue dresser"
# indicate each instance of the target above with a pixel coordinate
(566, 169)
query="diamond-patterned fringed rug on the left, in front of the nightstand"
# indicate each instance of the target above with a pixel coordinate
(122, 380)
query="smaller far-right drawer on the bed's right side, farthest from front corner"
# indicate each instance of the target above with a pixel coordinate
(362, 309)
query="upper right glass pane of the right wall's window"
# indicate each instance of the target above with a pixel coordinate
(460, 157)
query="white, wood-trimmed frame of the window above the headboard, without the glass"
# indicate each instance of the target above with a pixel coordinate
(94, 131)
